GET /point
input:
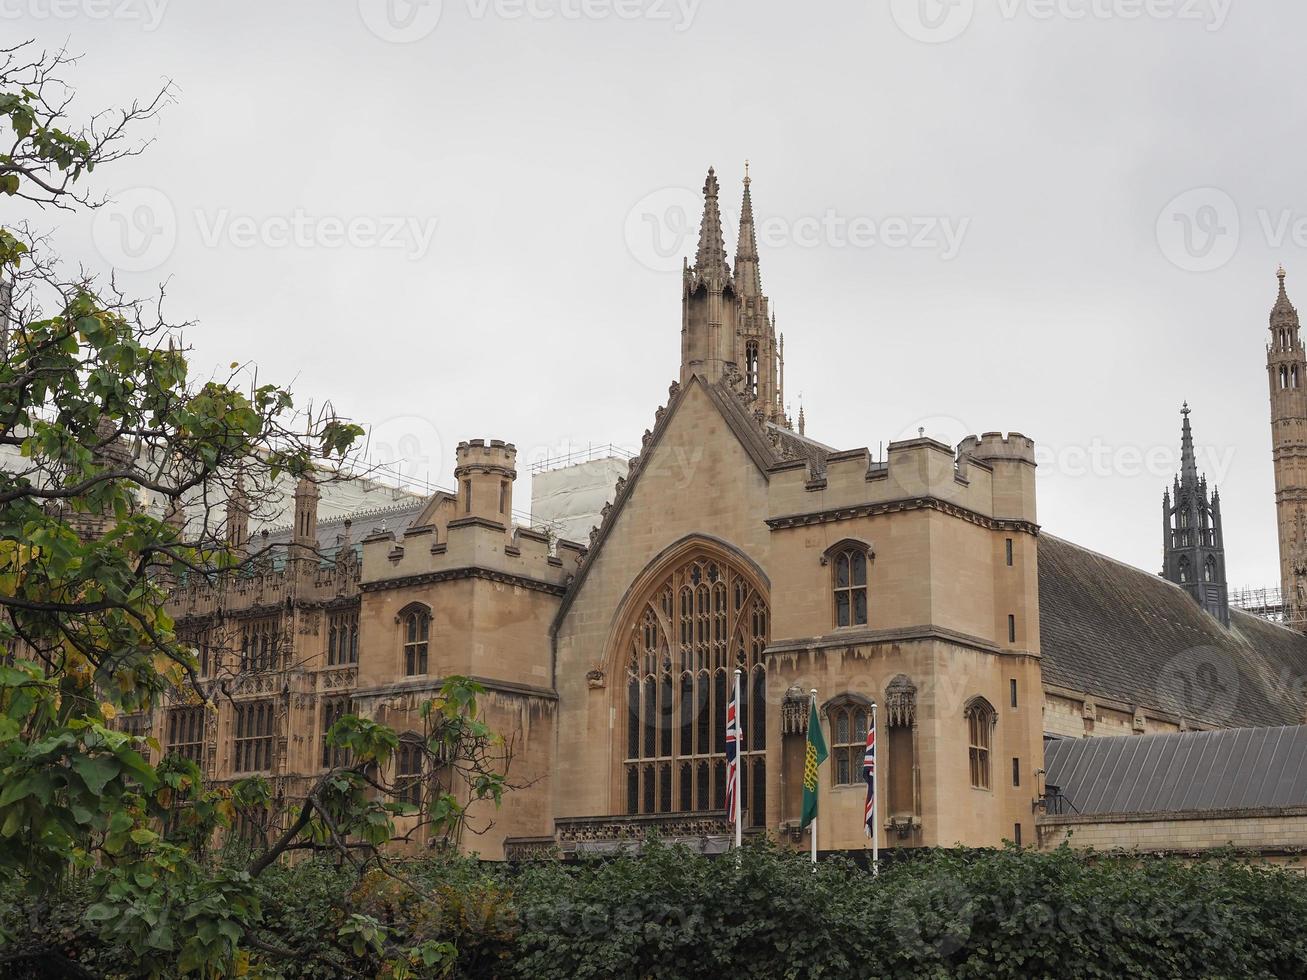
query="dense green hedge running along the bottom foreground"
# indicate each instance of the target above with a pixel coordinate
(767, 914)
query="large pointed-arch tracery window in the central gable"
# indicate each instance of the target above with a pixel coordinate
(688, 637)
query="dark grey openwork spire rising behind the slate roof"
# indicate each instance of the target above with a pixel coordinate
(1194, 542)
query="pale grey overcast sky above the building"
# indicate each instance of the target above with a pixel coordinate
(461, 220)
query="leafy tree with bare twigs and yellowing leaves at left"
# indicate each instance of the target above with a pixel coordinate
(116, 465)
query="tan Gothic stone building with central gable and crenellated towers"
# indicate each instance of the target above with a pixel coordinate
(919, 583)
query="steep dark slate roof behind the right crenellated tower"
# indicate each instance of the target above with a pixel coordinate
(1114, 632)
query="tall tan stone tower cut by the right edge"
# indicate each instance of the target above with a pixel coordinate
(1287, 370)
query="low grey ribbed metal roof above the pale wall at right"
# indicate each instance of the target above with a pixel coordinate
(1233, 770)
